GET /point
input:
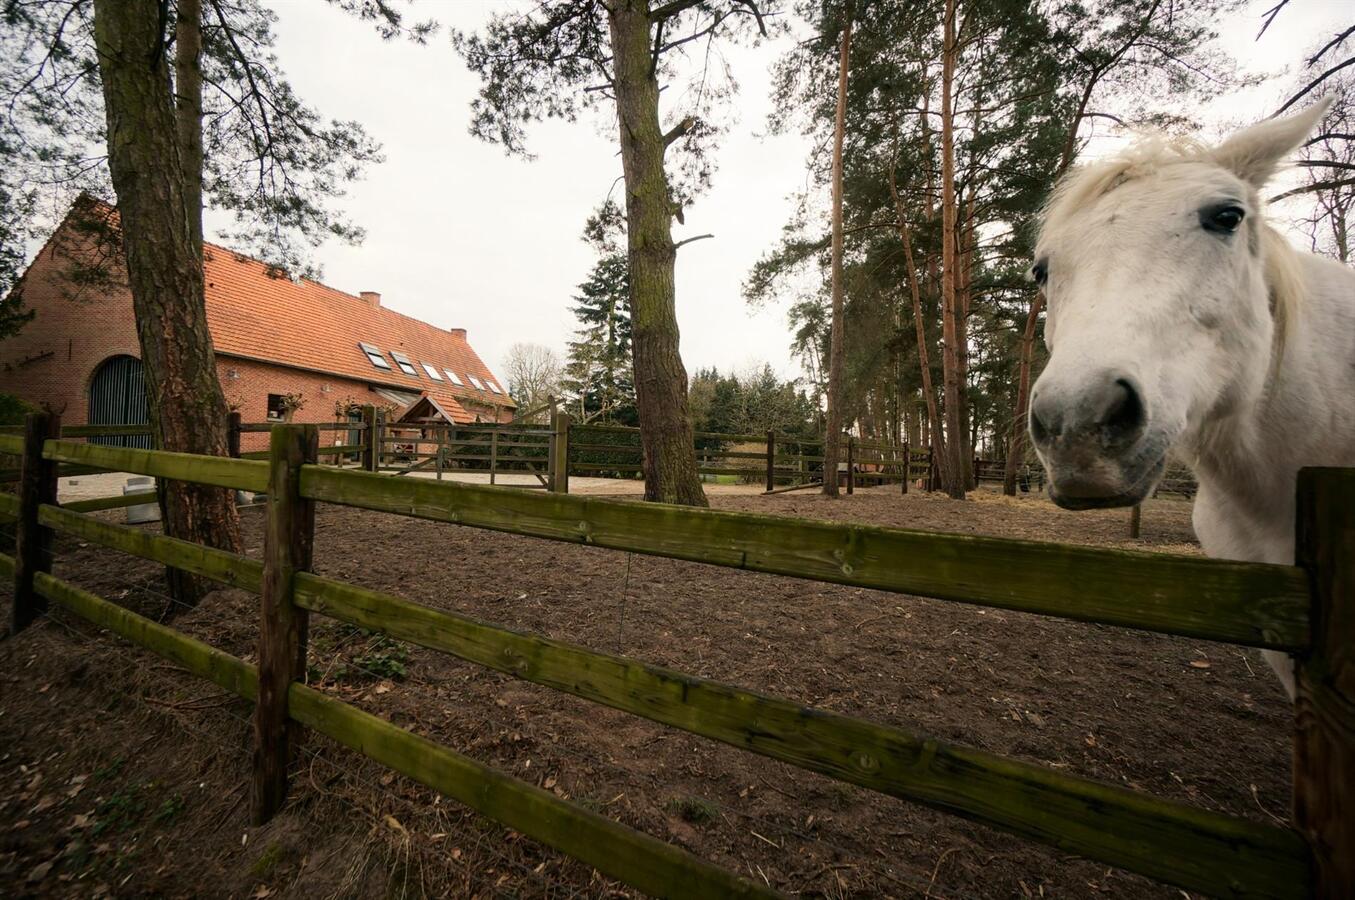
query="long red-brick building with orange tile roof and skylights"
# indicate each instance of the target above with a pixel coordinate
(287, 350)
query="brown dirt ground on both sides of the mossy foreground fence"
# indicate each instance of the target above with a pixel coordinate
(123, 777)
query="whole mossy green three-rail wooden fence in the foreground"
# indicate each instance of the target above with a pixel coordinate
(1308, 611)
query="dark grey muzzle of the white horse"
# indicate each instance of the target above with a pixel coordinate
(1096, 441)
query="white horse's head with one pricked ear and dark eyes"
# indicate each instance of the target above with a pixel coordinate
(1167, 296)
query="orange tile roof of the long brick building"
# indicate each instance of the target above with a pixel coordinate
(257, 315)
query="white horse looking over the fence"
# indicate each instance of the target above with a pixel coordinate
(1181, 322)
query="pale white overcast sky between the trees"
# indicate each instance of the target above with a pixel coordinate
(465, 237)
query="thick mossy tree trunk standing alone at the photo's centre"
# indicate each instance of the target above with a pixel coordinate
(666, 432)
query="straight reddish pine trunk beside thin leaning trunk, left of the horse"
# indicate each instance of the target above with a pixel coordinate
(955, 479)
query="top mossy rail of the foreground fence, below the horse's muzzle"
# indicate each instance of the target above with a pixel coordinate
(1250, 604)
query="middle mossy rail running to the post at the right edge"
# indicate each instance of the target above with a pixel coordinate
(1078, 815)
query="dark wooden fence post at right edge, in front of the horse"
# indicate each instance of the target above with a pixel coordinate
(1325, 711)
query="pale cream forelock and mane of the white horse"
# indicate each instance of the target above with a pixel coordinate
(1083, 185)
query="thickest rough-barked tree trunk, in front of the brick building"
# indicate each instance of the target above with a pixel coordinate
(165, 269)
